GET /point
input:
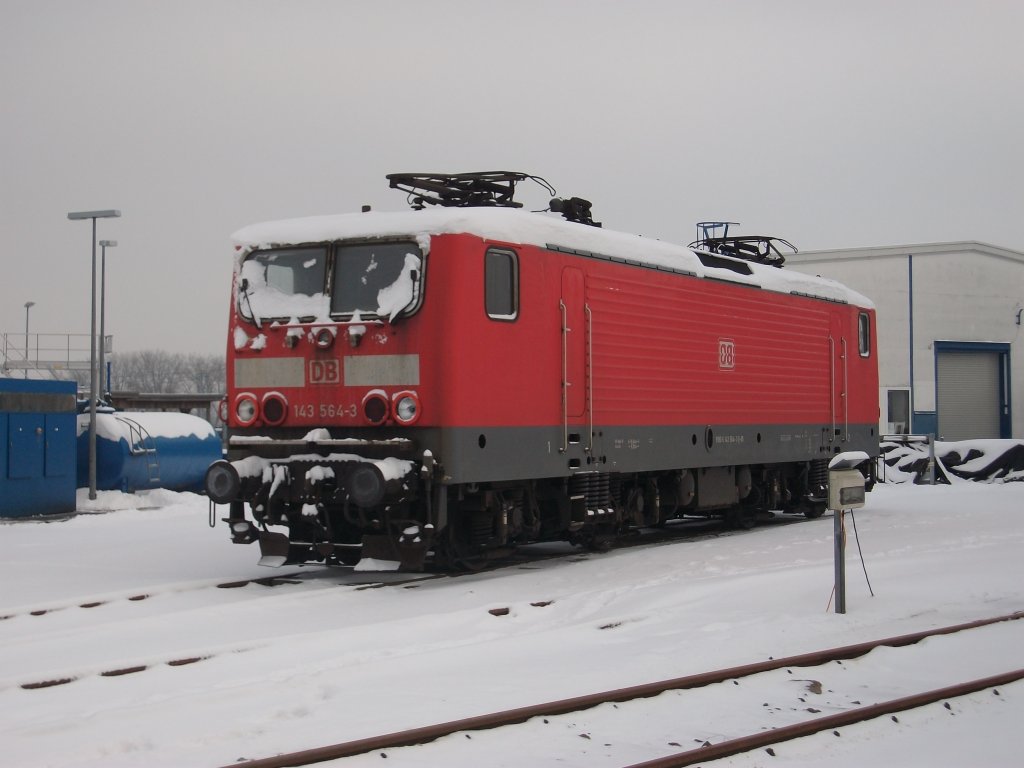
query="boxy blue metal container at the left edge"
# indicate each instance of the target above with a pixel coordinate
(37, 450)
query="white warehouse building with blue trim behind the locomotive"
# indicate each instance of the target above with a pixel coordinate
(950, 330)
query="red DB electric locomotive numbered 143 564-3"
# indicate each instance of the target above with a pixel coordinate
(463, 377)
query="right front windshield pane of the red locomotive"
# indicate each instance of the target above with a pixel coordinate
(382, 280)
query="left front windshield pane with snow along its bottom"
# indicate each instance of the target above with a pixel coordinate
(283, 284)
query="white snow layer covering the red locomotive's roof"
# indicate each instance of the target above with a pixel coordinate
(524, 228)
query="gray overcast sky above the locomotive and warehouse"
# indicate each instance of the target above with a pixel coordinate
(832, 124)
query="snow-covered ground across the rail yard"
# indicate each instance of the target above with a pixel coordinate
(328, 660)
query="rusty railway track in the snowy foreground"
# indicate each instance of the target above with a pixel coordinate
(772, 733)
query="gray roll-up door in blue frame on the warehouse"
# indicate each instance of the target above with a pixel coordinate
(968, 391)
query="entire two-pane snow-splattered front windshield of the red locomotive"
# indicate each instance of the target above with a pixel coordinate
(380, 280)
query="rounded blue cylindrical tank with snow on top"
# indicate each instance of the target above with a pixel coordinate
(143, 450)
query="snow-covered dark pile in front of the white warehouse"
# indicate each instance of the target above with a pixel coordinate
(982, 461)
